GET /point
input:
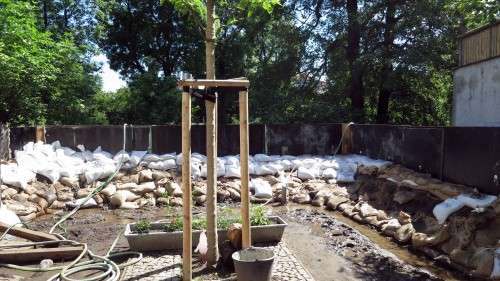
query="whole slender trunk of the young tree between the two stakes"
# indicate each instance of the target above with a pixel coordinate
(211, 136)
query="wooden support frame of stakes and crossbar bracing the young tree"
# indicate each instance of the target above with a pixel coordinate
(188, 88)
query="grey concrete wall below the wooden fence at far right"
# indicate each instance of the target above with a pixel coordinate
(476, 97)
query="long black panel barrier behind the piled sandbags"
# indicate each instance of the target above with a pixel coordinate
(464, 155)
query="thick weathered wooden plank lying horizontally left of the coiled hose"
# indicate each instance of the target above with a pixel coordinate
(17, 256)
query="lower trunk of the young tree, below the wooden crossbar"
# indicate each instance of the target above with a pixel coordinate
(211, 131)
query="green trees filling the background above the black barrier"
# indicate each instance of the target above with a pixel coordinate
(383, 61)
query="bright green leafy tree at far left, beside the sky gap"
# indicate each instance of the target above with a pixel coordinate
(44, 80)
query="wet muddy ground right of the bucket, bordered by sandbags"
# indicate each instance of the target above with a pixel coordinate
(333, 247)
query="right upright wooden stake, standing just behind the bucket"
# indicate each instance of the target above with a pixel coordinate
(245, 200)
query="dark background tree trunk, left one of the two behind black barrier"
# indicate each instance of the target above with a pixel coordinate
(355, 69)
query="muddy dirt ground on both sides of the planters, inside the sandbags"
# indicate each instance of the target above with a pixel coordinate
(331, 247)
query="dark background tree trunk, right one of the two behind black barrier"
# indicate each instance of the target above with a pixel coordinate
(385, 87)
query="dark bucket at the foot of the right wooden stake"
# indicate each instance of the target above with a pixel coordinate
(253, 264)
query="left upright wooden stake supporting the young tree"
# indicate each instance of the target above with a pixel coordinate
(187, 246)
